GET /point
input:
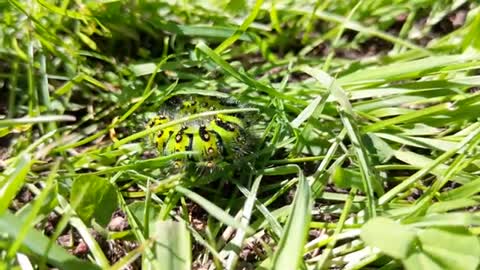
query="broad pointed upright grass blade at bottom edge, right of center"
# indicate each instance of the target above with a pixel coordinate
(290, 248)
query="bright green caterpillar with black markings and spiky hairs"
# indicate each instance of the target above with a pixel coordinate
(216, 141)
